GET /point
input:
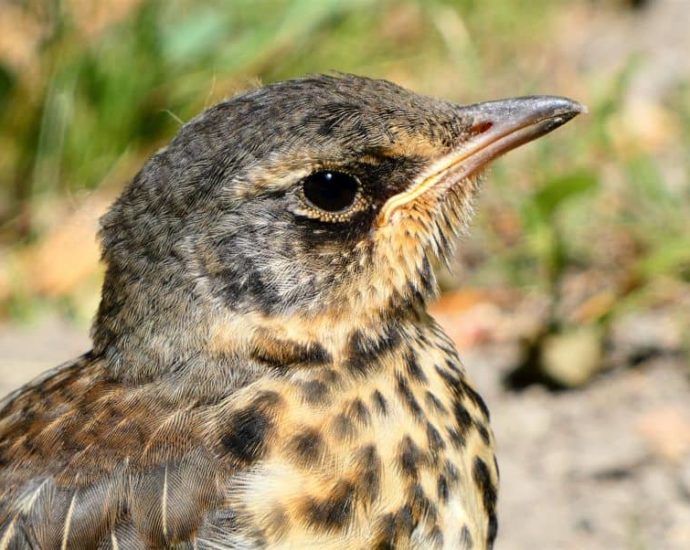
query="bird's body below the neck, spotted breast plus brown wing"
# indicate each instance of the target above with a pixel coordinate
(386, 445)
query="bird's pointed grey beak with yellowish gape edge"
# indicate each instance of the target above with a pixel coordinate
(495, 128)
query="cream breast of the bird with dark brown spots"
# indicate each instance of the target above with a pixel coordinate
(389, 447)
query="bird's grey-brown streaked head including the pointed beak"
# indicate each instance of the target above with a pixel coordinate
(312, 204)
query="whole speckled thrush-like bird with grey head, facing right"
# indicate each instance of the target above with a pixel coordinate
(264, 371)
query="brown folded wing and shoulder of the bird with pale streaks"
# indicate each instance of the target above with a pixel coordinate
(89, 461)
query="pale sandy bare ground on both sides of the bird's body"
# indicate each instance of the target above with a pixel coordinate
(603, 467)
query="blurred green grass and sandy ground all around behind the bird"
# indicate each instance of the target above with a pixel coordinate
(569, 301)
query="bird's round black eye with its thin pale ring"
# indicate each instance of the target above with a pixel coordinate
(331, 195)
